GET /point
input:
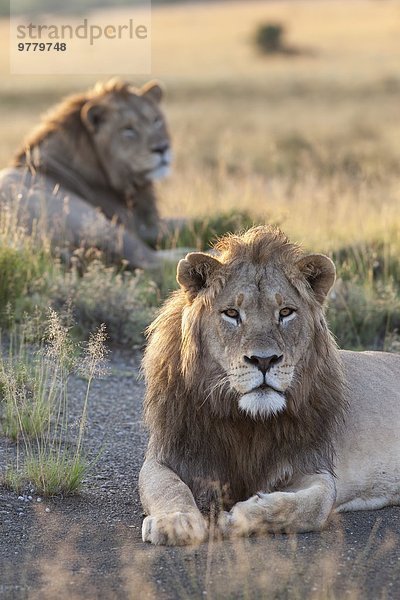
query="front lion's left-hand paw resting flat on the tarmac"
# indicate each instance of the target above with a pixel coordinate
(175, 529)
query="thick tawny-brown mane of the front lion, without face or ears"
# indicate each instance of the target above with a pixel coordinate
(195, 425)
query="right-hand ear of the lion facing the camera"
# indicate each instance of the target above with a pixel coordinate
(320, 273)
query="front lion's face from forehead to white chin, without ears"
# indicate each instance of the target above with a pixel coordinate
(259, 331)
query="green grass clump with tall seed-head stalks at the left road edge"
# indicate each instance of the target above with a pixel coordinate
(36, 406)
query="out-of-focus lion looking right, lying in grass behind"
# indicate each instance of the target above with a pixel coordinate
(85, 175)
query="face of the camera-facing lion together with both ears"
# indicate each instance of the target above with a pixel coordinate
(259, 324)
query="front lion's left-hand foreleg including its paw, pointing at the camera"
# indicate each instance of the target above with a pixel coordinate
(173, 517)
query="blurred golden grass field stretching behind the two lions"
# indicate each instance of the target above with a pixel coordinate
(307, 139)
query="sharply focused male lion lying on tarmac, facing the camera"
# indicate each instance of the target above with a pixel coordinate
(252, 410)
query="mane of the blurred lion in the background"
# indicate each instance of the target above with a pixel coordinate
(56, 141)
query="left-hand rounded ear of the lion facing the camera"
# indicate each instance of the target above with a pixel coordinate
(194, 271)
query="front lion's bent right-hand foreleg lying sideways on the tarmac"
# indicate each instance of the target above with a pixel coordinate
(304, 506)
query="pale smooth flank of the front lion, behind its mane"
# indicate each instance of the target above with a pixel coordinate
(369, 449)
